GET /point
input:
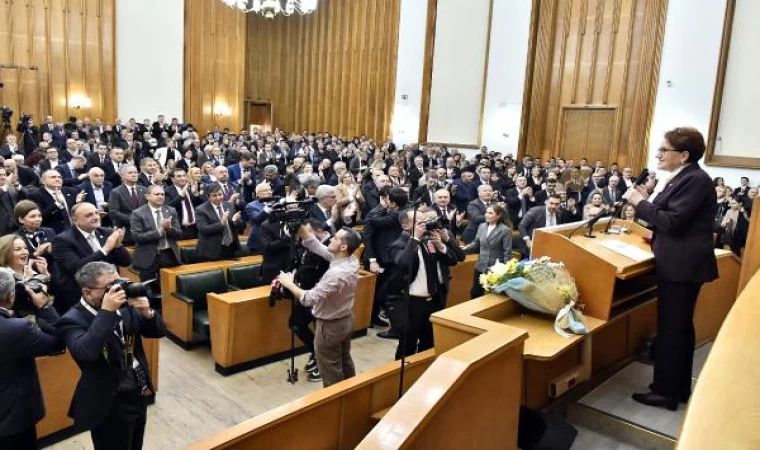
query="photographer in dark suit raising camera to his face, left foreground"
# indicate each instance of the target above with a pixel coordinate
(104, 332)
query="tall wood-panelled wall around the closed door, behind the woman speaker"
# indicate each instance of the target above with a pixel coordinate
(594, 54)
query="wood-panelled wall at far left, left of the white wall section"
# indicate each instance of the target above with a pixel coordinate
(59, 49)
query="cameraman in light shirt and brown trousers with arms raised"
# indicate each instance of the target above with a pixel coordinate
(331, 300)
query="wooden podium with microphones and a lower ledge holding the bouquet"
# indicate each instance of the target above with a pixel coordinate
(618, 294)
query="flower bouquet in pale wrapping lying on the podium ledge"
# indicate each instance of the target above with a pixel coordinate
(542, 286)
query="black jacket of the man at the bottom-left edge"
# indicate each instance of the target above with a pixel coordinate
(21, 404)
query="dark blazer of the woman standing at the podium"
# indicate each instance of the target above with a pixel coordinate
(682, 217)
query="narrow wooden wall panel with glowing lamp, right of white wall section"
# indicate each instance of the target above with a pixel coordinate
(215, 40)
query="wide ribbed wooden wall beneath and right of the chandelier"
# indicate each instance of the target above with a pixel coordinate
(333, 70)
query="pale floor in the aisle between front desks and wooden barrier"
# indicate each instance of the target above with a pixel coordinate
(194, 401)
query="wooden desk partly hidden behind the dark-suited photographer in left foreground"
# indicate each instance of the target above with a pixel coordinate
(58, 378)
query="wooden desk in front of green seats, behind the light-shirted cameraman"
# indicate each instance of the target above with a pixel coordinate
(246, 331)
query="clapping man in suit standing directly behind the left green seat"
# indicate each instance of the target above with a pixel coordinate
(218, 226)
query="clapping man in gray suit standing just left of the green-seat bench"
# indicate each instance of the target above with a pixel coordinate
(155, 228)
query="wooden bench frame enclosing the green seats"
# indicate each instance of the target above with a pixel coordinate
(177, 314)
